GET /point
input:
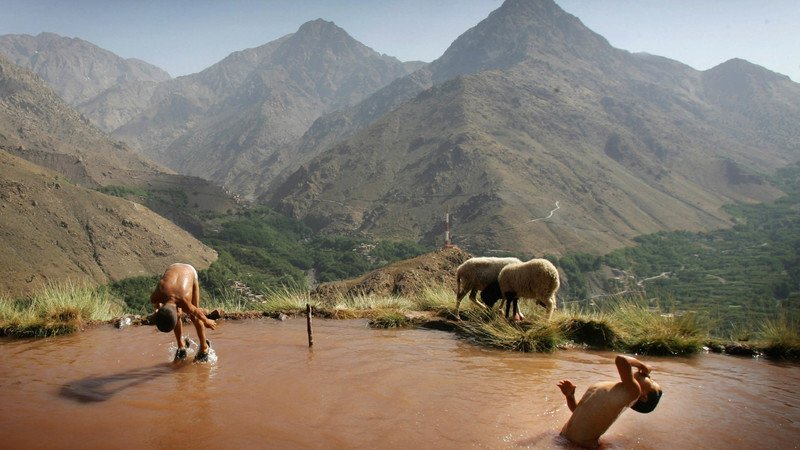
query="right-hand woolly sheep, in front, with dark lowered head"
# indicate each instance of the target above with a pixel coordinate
(536, 279)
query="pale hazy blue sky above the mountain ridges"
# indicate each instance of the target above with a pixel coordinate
(186, 36)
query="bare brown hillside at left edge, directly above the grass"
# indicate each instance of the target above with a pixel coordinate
(53, 231)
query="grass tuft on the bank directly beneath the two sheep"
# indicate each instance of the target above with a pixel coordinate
(492, 329)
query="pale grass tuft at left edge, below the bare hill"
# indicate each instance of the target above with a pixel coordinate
(58, 309)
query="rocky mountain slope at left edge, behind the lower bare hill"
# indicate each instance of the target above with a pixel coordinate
(39, 126)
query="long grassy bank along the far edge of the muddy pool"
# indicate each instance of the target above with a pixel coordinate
(627, 324)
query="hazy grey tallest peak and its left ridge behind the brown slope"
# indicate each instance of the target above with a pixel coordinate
(507, 42)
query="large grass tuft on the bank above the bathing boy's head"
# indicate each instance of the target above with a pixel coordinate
(647, 330)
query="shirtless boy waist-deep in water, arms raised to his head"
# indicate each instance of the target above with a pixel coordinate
(603, 402)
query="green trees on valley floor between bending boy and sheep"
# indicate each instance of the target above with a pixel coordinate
(264, 249)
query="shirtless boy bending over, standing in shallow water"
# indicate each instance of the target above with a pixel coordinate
(178, 291)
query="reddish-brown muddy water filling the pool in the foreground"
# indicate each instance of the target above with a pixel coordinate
(363, 388)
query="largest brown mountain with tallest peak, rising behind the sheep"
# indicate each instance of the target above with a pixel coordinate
(539, 137)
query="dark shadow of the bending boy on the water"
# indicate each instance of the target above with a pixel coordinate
(102, 388)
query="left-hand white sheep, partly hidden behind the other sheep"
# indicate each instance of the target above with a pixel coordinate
(476, 274)
